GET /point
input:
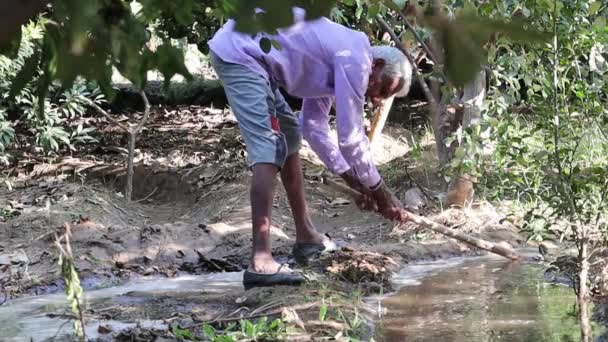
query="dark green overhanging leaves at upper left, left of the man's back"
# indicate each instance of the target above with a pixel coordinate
(89, 39)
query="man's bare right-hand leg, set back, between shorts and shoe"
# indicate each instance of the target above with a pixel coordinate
(293, 181)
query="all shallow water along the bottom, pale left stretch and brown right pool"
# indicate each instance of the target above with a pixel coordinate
(461, 299)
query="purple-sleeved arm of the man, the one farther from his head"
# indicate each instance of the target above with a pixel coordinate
(315, 129)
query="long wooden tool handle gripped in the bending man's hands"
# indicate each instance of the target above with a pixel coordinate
(501, 249)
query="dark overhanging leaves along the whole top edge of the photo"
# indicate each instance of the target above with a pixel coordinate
(89, 38)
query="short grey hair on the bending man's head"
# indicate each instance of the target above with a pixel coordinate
(396, 65)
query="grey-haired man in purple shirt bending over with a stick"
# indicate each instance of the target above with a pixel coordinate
(321, 62)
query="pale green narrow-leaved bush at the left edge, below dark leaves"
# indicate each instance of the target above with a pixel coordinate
(19, 94)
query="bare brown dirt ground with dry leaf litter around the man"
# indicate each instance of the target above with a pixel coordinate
(190, 213)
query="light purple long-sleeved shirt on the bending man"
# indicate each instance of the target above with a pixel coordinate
(321, 62)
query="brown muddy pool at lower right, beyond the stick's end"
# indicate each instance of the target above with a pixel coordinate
(481, 299)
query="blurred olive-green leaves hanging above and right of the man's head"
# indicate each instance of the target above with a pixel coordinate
(459, 34)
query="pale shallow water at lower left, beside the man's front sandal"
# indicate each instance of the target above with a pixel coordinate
(36, 318)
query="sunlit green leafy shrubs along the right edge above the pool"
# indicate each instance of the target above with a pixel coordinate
(549, 131)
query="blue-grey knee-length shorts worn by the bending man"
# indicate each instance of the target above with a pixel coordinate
(256, 103)
